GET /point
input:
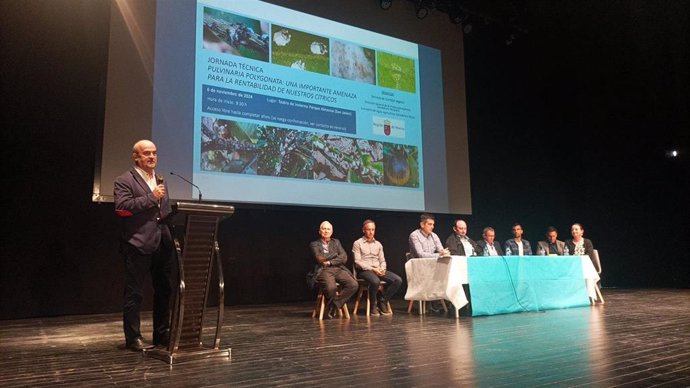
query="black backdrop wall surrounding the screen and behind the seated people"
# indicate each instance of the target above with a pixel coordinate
(569, 123)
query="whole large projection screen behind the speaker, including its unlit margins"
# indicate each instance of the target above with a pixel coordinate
(256, 103)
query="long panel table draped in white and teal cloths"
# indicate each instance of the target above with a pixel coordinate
(504, 284)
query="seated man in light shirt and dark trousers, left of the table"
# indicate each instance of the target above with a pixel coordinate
(371, 266)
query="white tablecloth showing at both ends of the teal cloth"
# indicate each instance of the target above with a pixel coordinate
(442, 278)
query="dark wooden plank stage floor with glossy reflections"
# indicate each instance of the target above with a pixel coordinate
(639, 337)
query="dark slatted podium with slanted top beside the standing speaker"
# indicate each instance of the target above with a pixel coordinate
(195, 264)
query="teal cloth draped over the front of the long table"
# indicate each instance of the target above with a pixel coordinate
(509, 284)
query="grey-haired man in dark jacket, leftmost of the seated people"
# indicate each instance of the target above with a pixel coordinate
(330, 268)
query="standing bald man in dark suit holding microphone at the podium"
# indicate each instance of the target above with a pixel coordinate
(141, 200)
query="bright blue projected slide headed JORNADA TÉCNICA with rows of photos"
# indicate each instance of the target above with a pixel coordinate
(291, 108)
